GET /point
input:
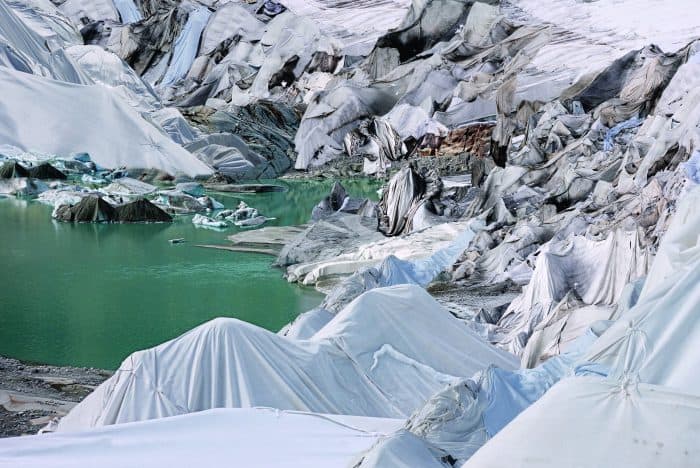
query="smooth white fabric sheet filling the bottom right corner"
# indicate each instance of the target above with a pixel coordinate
(585, 422)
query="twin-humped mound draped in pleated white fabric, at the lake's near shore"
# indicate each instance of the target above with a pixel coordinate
(383, 355)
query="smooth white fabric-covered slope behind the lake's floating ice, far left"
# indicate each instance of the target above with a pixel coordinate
(40, 114)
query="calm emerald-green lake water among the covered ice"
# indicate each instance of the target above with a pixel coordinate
(89, 295)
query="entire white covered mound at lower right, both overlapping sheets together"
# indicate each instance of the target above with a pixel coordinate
(643, 384)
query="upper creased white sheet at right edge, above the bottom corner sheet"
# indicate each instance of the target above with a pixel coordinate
(657, 340)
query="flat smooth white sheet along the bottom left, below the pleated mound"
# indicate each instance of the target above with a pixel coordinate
(222, 437)
